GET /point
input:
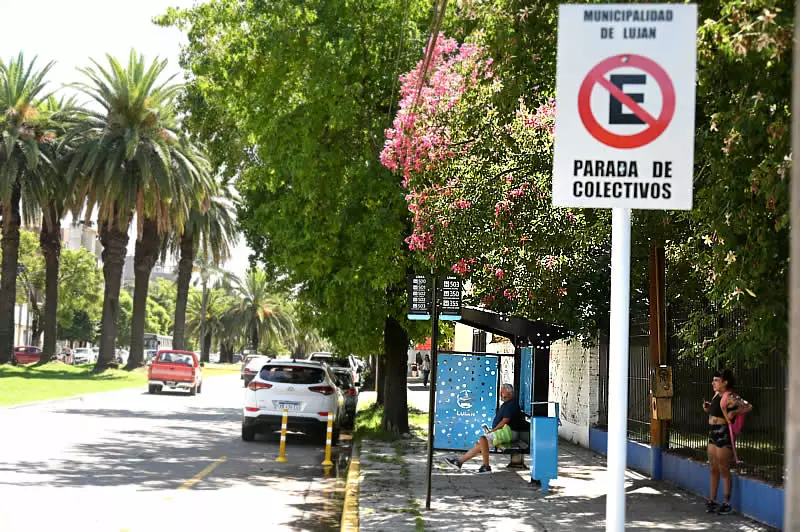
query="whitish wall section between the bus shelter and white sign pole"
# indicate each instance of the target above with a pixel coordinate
(574, 384)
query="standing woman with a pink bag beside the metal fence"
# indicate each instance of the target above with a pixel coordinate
(720, 444)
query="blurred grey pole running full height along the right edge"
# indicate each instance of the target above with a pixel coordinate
(791, 516)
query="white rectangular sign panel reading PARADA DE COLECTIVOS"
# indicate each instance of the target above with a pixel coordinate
(625, 97)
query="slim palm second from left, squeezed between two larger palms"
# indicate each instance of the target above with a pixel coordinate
(55, 195)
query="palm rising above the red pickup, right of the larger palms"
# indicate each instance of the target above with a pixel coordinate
(213, 233)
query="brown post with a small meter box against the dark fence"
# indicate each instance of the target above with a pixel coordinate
(658, 356)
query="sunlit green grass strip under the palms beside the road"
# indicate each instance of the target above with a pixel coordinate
(23, 384)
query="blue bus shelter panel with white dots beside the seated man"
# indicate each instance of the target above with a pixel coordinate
(466, 398)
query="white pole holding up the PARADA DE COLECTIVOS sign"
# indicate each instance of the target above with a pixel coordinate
(618, 367)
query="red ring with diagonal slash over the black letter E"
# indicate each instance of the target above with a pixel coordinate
(656, 126)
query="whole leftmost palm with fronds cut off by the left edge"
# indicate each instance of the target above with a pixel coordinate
(22, 135)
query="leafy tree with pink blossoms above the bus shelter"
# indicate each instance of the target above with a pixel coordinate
(478, 186)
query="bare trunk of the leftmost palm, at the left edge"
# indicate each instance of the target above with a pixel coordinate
(8, 277)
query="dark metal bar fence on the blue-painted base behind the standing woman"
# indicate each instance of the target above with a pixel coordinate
(760, 446)
